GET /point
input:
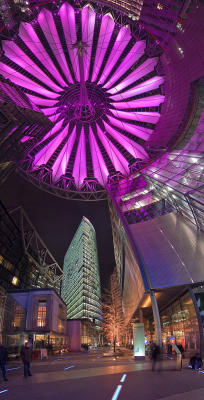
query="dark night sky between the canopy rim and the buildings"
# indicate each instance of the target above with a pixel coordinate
(56, 220)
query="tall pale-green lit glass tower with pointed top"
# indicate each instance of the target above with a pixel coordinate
(81, 290)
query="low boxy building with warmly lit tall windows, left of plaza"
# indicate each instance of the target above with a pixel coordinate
(37, 315)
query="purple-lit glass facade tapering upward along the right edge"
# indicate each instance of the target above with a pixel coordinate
(178, 174)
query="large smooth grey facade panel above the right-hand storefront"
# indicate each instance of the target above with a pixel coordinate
(172, 250)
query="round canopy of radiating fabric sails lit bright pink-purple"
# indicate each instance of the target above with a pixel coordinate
(95, 84)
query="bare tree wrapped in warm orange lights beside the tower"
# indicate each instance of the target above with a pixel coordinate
(113, 320)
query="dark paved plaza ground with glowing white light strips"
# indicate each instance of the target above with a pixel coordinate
(93, 377)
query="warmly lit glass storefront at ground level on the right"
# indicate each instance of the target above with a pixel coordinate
(181, 321)
